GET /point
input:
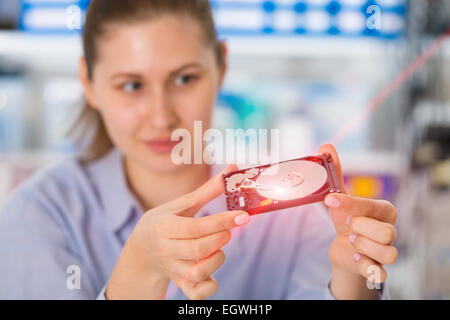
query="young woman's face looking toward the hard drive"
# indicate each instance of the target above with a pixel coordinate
(151, 78)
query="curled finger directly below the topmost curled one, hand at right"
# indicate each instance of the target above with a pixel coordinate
(378, 231)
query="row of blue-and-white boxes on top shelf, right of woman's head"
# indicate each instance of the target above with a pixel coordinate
(348, 18)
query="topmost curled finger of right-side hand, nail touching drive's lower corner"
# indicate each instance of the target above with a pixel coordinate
(345, 205)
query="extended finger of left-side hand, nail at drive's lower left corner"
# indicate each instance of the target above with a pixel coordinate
(176, 227)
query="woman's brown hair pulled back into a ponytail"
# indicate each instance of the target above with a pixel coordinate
(89, 129)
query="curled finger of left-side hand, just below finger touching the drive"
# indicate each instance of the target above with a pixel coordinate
(197, 249)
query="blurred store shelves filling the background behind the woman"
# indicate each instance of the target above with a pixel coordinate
(318, 70)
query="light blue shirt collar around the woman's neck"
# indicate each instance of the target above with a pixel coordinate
(108, 174)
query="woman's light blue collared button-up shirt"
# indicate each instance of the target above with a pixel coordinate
(68, 223)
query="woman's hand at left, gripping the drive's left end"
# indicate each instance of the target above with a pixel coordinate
(168, 243)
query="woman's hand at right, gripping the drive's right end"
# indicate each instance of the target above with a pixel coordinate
(364, 243)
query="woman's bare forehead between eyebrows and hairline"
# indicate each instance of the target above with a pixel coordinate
(163, 43)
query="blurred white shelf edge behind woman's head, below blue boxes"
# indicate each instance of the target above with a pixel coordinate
(48, 51)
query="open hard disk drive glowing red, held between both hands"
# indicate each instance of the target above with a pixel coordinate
(282, 185)
